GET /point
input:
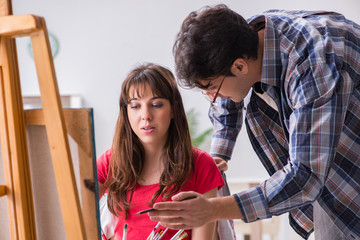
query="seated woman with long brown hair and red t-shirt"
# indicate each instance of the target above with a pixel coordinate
(151, 157)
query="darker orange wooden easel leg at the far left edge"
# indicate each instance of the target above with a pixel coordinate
(15, 153)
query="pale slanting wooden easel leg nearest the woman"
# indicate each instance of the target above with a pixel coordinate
(57, 137)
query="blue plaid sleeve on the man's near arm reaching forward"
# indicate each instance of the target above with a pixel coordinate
(318, 94)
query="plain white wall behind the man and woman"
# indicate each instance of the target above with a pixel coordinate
(100, 41)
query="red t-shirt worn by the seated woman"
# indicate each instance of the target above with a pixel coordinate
(205, 178)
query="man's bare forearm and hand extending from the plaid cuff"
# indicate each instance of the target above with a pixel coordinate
(196, 212)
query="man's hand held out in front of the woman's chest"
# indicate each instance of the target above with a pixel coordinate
(185, 214)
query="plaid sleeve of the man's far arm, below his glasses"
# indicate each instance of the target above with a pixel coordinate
(227, 121)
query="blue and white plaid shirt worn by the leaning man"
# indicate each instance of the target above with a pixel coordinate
(311, 145)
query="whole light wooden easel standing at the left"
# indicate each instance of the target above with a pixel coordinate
(12, 128)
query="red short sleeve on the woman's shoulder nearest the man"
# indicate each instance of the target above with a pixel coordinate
(205, 170)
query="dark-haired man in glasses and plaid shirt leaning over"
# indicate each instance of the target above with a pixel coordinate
(295, 76)
